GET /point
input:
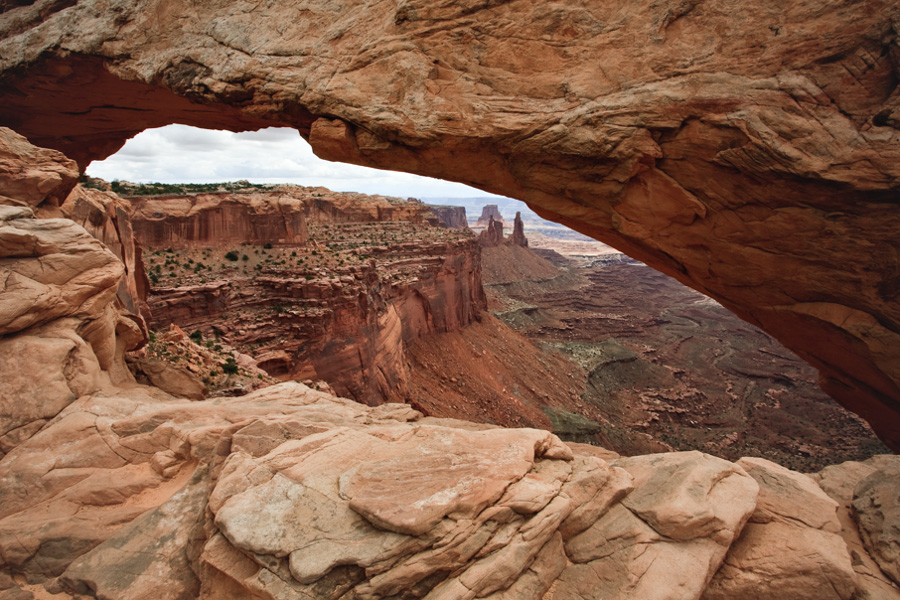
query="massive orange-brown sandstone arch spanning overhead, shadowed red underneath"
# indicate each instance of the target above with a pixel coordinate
(750, 151)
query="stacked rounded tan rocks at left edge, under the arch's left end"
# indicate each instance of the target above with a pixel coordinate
(62, 332)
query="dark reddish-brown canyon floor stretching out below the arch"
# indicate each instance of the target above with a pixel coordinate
(666, 365)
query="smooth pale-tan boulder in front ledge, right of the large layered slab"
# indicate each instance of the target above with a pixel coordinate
(666, 538)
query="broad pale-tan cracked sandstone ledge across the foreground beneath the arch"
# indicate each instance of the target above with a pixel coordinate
(288, 492)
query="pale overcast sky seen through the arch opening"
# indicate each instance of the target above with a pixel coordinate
(182, 154)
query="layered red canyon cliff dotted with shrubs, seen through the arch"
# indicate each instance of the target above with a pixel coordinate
(341, 304)
